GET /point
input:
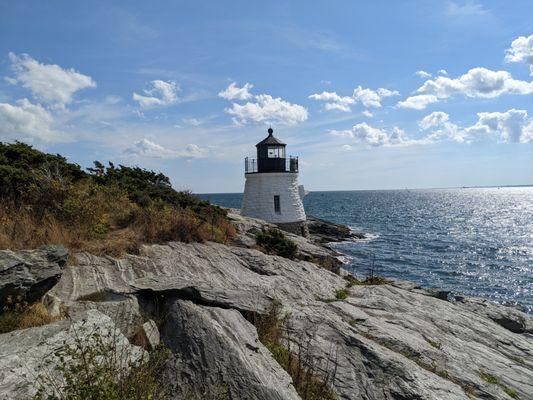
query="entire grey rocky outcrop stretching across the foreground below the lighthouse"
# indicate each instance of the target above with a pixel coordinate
(393, 340)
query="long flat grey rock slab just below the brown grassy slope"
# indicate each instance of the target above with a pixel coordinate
(230, 277)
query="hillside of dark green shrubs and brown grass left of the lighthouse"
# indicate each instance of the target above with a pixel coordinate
(110, 210)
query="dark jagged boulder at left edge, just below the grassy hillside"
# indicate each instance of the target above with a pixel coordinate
(29, 274)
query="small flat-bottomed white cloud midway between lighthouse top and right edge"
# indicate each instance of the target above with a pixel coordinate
(375, 137)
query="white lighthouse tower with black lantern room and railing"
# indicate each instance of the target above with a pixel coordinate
(271, 191)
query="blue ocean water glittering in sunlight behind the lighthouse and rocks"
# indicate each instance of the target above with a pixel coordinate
(474, 241)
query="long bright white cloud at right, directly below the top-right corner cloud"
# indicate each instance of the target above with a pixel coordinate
(477, 83)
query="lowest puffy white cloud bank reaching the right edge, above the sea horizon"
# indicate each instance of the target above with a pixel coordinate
(512, 126)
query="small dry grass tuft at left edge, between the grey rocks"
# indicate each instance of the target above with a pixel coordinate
(20, 315)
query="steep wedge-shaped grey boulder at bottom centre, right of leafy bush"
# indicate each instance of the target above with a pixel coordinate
(217, 354)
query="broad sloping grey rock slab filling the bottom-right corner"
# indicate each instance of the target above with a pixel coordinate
(411, 345)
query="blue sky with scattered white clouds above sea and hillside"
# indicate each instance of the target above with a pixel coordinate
(369, 95)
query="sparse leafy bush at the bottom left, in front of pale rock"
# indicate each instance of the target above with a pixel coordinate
(97, 366)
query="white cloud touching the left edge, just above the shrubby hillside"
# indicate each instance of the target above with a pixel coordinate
(27, 121)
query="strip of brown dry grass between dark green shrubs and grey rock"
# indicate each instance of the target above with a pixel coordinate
(119, 233)
